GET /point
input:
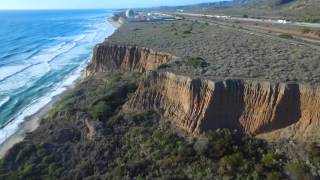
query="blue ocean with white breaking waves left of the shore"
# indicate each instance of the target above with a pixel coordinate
(42, 53)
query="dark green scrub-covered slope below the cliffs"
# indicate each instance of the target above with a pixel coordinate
(91, 137)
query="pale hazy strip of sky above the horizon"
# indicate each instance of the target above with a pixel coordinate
(89, 4)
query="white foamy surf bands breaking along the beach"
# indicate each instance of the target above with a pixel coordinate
(72, 49)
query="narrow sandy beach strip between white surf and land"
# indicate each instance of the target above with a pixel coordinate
(32, 122)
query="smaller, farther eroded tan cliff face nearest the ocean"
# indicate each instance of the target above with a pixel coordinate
(110, 57)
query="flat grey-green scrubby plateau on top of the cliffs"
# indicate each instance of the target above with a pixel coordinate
(225, 51)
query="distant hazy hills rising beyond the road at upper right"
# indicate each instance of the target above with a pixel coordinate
(301, 10)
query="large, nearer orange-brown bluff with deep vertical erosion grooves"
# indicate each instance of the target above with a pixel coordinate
(269, 110)
